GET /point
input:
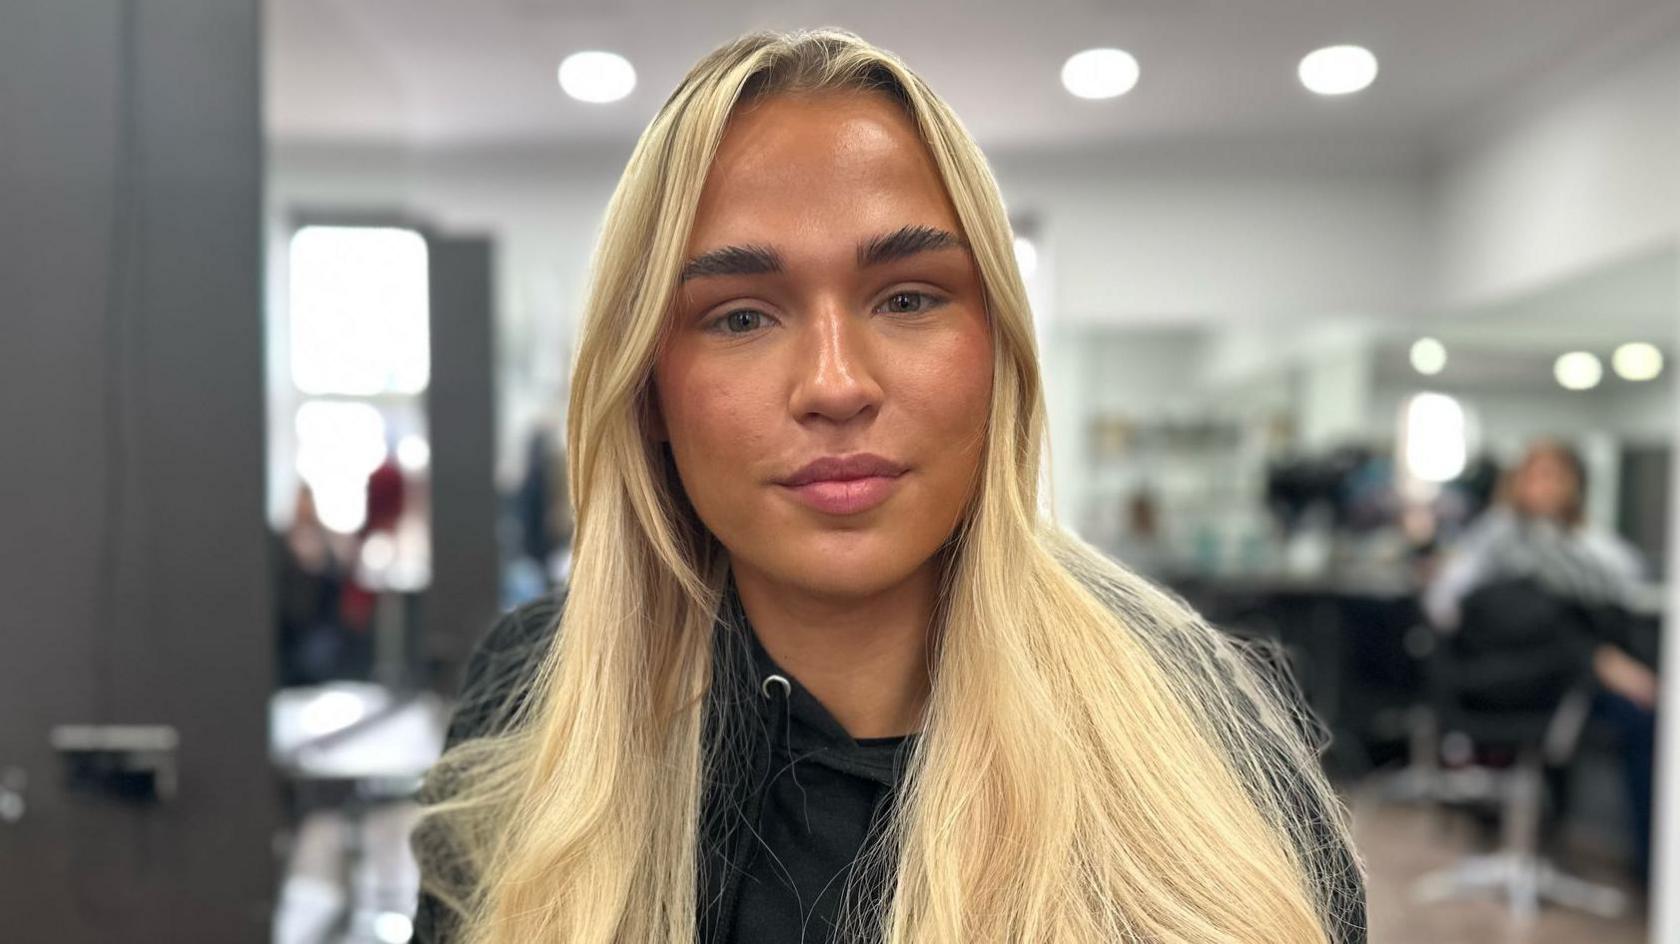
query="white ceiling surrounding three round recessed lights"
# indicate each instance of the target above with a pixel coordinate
(1215, 73)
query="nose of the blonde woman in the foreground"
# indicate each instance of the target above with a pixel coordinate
(836, 367)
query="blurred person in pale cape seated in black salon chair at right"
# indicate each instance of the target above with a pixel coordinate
(1538, 533)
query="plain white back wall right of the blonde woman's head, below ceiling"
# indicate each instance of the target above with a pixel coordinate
(1145, 244)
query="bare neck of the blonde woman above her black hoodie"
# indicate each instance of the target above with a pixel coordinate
(863, 658)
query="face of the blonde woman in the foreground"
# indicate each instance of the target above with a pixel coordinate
(829, 310)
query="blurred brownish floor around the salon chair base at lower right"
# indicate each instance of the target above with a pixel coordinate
(1400, 844)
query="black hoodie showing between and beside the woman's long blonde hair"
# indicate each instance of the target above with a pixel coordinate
(795, 804)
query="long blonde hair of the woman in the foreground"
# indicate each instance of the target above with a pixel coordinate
(1096, 765)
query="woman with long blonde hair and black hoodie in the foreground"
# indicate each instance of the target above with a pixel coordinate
(824, 669)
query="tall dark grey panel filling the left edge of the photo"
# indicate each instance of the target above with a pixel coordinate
(134, 565)
